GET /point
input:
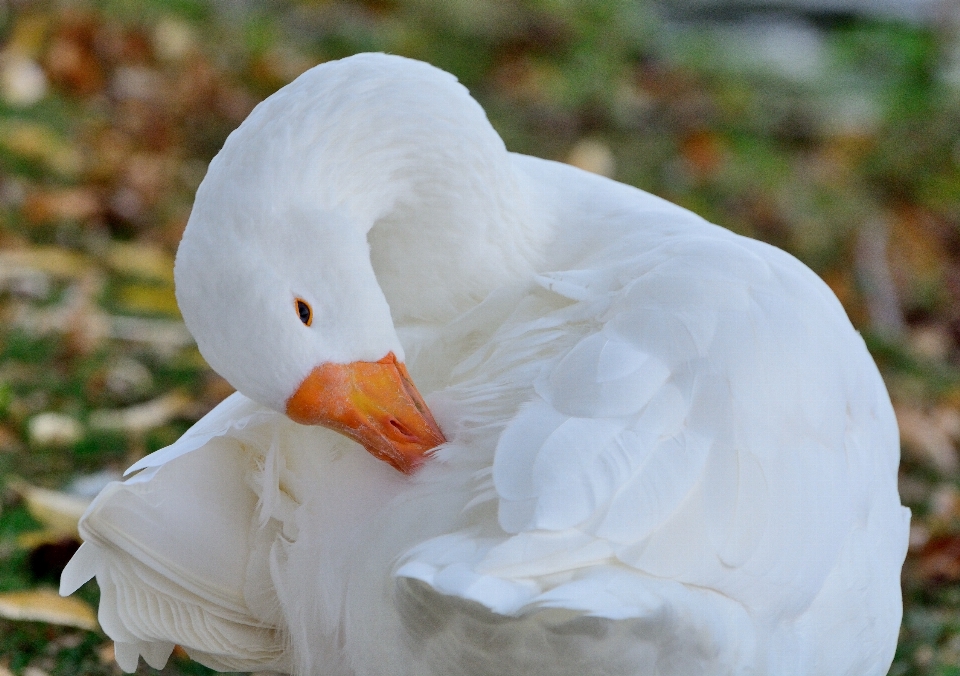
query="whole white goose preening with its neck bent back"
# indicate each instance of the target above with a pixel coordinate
(495, 415)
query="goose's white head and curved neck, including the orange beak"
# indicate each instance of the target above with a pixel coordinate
(368, 191)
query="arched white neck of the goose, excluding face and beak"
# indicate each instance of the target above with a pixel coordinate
(401, 151)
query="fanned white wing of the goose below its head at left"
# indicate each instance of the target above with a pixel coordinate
(170, 550)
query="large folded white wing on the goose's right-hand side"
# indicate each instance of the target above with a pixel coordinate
(714, 425)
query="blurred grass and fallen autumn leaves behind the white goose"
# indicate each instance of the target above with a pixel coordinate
(830, 128)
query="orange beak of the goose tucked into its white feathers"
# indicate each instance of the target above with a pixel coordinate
(373, 403)
